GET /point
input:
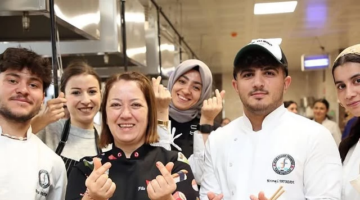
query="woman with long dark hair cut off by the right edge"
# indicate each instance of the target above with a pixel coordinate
(346, 73)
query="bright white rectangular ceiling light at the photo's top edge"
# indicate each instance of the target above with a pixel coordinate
(275, 7)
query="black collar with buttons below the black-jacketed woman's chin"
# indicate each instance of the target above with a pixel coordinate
(117, 153)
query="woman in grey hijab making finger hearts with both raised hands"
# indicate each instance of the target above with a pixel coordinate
(191, 110)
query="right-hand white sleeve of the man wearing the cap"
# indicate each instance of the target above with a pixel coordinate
(322, 169)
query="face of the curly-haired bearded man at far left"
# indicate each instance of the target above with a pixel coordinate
(21, 95)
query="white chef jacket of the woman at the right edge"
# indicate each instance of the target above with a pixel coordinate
(351, 171)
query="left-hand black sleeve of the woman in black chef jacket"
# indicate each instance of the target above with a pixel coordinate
(76, 186)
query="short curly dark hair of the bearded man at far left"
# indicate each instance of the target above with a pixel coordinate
(20, 58)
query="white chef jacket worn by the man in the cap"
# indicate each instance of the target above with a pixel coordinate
(290, 150)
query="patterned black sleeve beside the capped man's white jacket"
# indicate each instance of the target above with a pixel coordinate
(187, 187)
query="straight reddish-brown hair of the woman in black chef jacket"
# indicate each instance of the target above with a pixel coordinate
(145, 86)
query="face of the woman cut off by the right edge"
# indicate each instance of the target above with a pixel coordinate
(347, 81)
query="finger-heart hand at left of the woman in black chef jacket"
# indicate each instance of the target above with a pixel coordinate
(99, 185)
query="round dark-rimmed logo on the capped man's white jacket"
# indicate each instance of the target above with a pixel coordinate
(283, 164)
